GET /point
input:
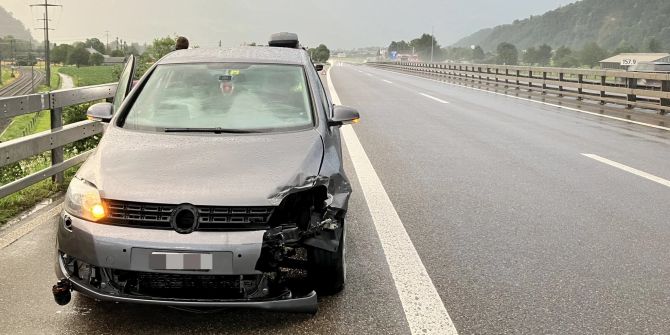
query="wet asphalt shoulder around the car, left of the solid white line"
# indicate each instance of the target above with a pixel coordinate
(368, 305)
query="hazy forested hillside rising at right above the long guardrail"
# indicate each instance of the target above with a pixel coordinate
(610, 23)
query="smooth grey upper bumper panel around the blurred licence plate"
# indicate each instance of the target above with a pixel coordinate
(120, 247)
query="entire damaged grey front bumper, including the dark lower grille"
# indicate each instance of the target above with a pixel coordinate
(109, 263)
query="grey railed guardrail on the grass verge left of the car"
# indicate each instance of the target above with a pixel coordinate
(51, 140)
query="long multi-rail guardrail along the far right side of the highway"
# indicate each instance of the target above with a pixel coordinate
(633, 89)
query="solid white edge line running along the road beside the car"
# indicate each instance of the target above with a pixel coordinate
(423, 307)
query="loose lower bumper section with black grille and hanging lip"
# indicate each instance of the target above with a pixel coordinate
(186, 291)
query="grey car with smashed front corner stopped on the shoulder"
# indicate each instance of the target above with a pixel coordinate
(218, 184)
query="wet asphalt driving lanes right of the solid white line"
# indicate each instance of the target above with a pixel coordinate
(519, 232)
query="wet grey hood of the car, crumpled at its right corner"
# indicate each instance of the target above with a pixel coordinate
(203, 169)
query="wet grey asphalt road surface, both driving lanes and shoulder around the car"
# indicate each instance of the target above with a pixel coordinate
(518, 231)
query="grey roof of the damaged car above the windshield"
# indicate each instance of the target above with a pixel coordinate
(256, 54)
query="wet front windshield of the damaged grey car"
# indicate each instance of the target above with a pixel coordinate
(232, 97)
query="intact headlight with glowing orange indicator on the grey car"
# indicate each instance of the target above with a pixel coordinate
(83, 200)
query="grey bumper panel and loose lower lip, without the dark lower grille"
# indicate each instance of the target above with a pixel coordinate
(111, 247)
